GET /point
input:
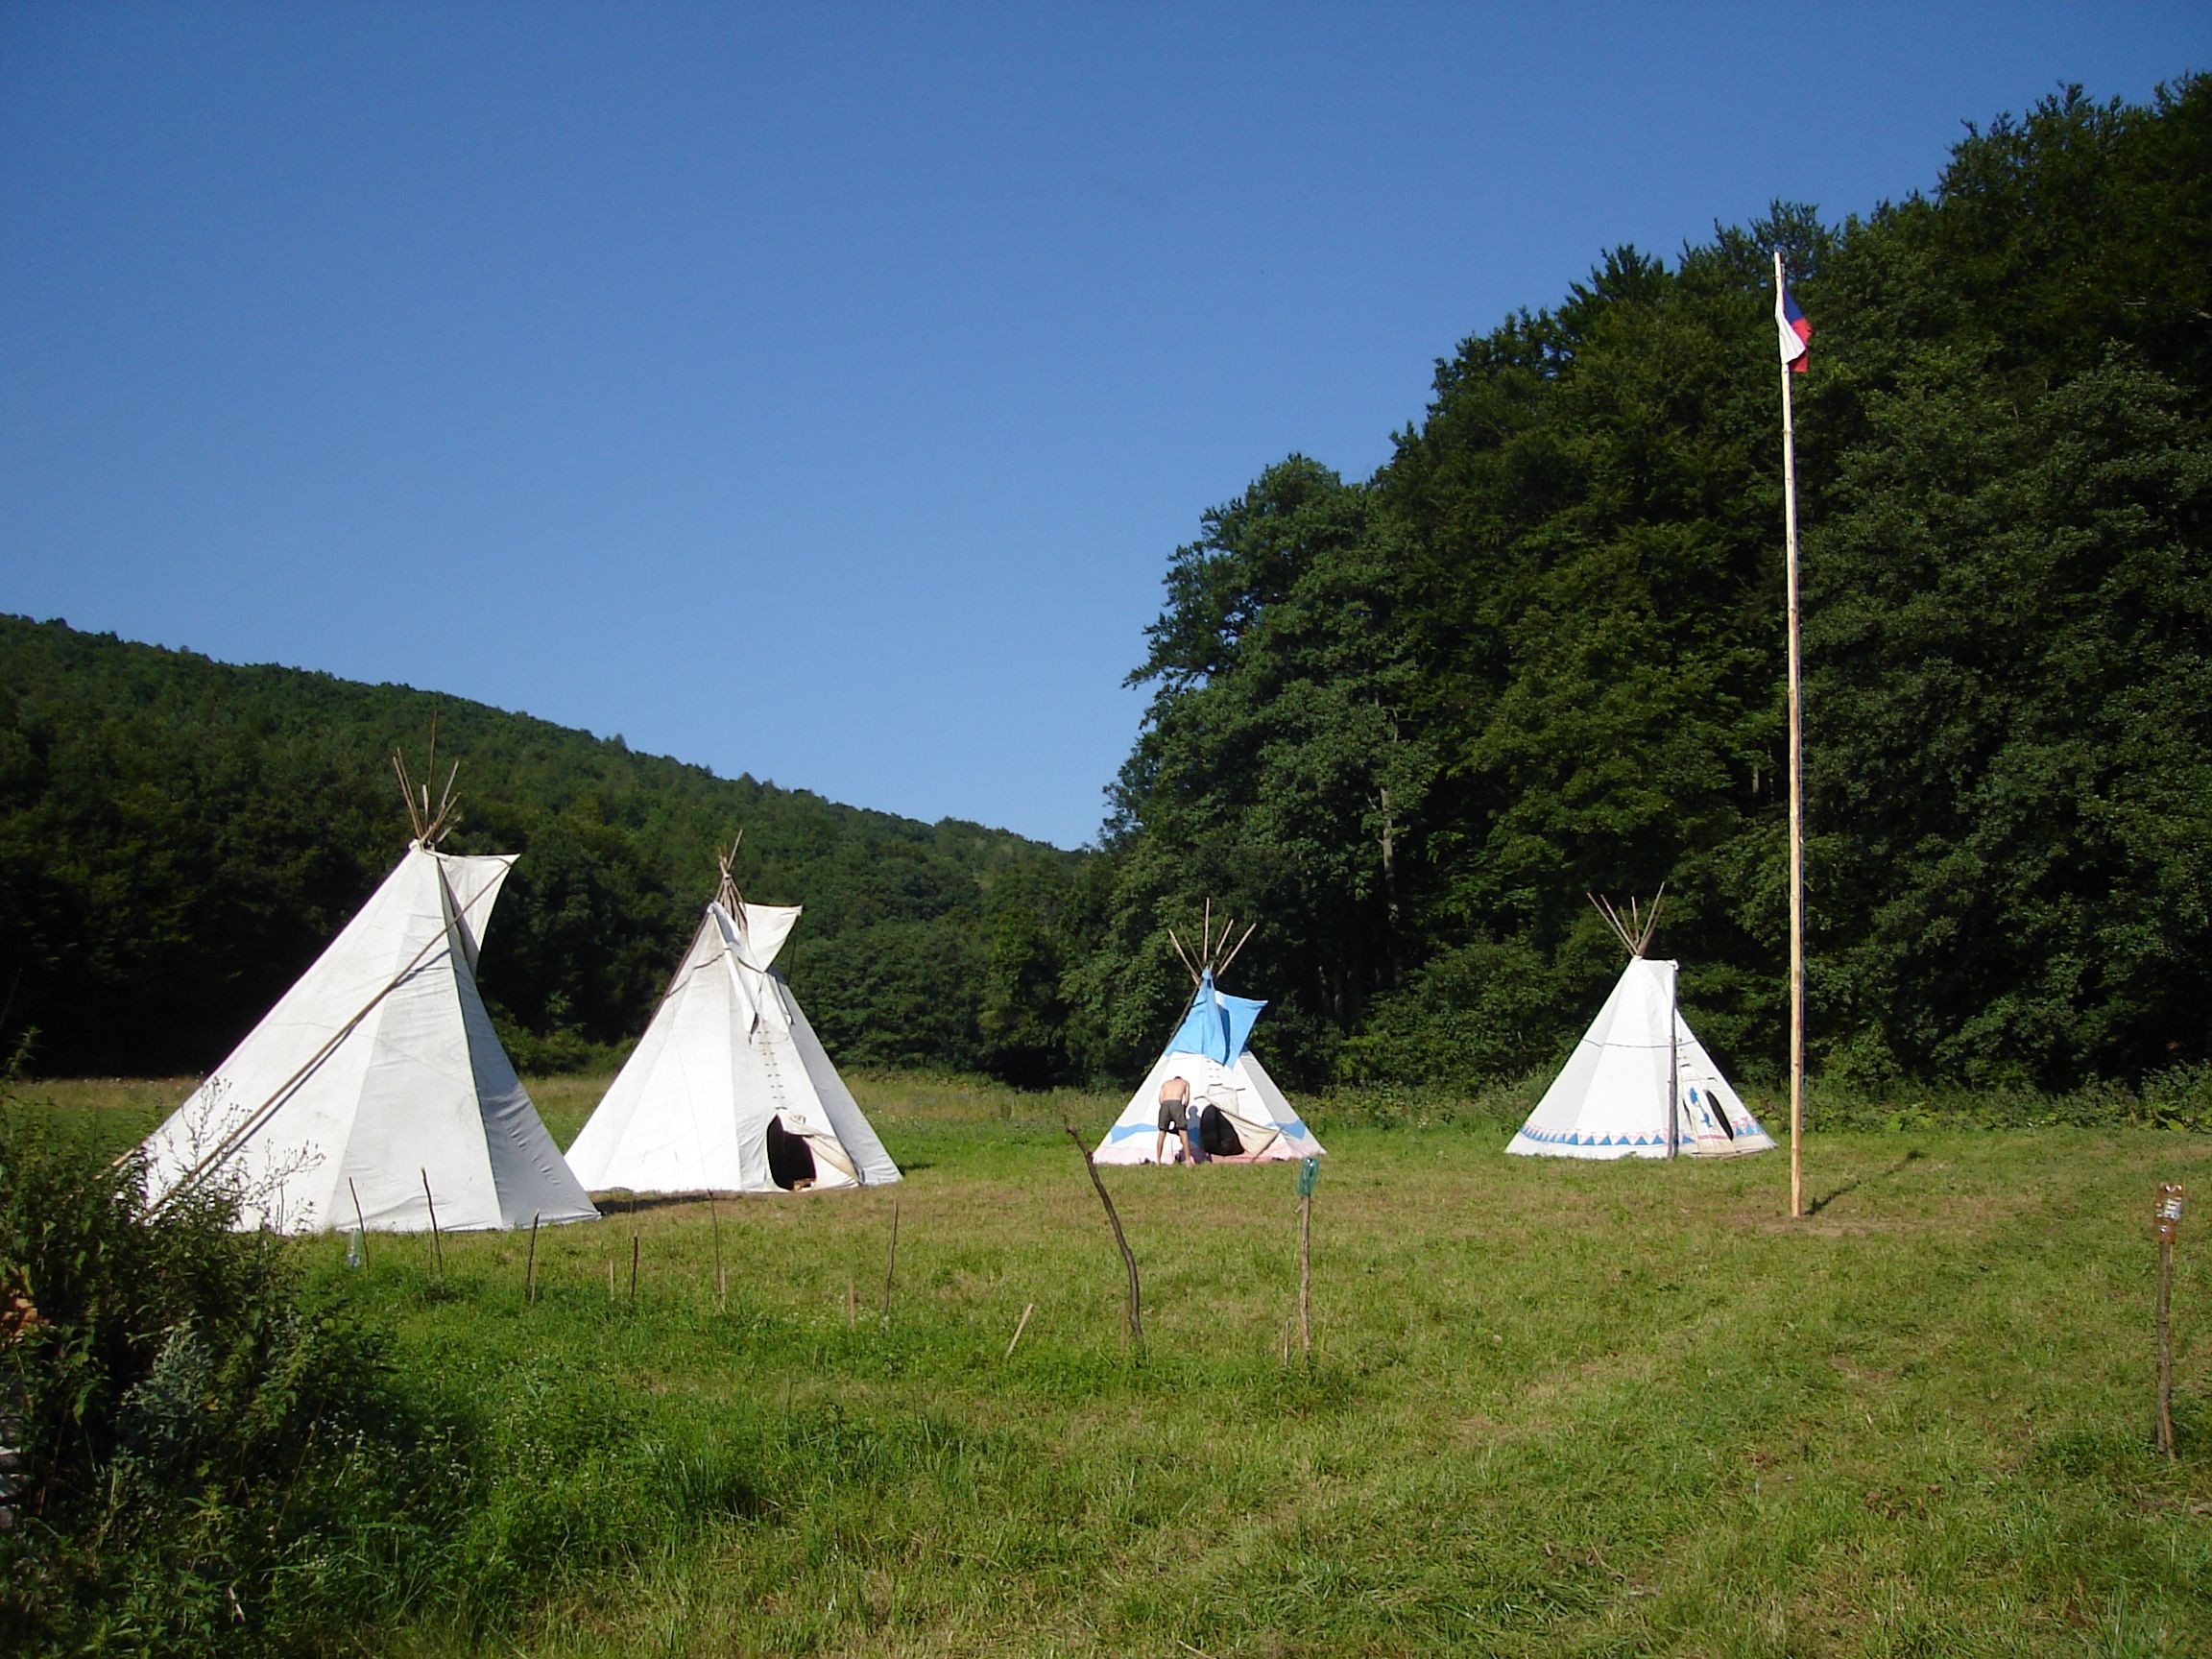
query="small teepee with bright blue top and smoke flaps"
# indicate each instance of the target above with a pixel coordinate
(1209, 1052)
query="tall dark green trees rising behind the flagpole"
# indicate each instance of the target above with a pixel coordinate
(1412, 722)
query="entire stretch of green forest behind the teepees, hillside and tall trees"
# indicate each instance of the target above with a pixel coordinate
(1410, 722)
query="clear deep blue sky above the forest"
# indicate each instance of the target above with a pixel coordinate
(820, 390)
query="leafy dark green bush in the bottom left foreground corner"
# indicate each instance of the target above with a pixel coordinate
(205, 1463)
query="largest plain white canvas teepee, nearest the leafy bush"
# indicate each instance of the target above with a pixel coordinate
(377, 1087)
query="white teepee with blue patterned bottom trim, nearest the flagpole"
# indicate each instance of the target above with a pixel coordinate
(1640, 1083)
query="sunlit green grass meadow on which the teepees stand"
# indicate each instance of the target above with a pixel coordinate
(1554, 1408)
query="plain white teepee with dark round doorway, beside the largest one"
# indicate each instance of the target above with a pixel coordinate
(731, 1089)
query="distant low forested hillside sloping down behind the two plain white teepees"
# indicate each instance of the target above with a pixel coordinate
(180, 837)
